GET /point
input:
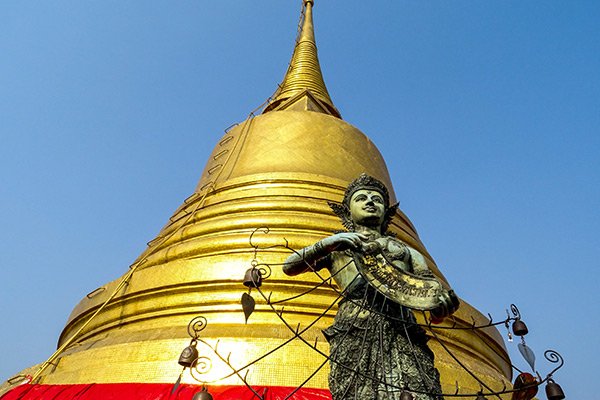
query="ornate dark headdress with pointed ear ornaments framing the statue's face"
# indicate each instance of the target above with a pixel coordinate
(367, 182)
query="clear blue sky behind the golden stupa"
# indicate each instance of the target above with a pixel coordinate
(487, 113)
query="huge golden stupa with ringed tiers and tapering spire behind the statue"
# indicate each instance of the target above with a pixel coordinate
(277, 171)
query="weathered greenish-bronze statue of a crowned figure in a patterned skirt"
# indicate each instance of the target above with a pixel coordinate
(376, 348)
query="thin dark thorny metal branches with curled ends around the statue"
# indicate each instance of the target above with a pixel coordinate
(204, 364)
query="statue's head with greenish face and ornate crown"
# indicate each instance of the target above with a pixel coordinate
(366, 202)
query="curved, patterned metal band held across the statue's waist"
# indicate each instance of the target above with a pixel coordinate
(412, 291)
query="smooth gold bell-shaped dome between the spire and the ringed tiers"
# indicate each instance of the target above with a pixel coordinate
(285, 141)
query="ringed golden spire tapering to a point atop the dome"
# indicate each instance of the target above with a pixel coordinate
(303, 87)
